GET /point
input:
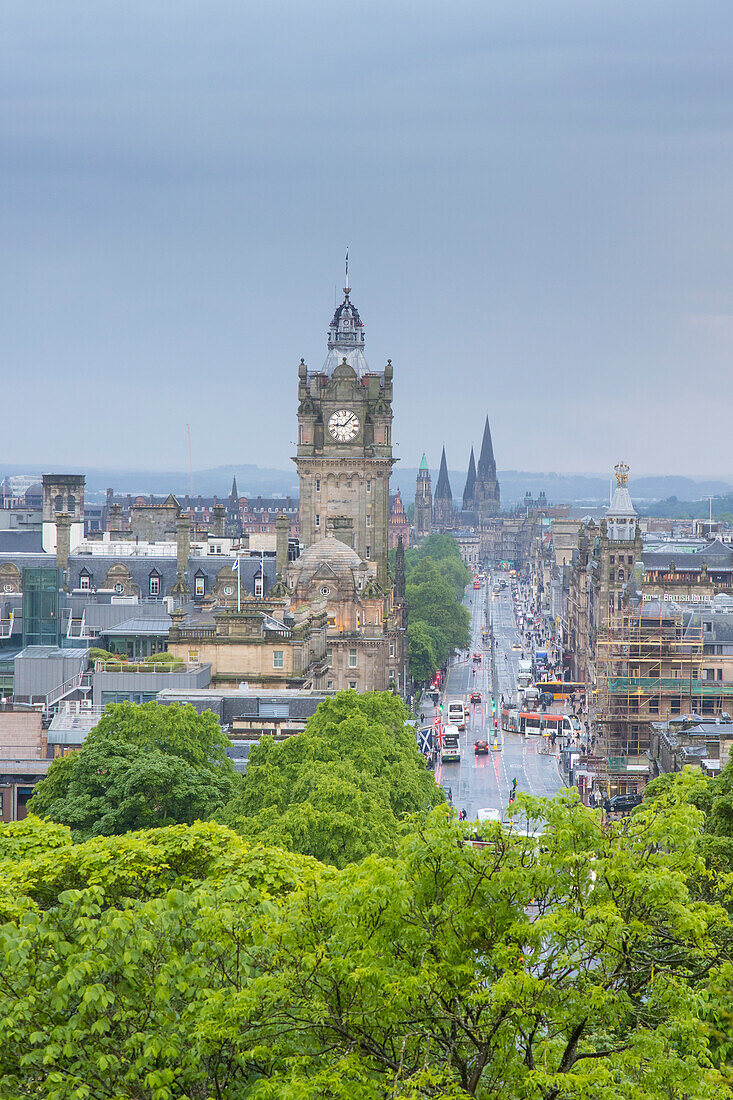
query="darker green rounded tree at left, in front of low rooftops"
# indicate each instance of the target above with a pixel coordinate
(140, 767)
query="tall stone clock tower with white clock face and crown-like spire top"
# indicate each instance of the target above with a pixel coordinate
(345, 445)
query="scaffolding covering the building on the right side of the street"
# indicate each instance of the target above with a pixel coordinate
(649, 664)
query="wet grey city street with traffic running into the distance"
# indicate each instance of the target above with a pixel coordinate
(480, 783)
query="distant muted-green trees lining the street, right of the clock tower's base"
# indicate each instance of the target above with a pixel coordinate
(439, 623)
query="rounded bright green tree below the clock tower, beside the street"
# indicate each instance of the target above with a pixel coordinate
(342, 789)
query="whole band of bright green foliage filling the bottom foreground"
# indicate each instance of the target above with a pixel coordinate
(188, 962)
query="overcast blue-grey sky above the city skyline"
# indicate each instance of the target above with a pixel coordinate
(538, 199)
